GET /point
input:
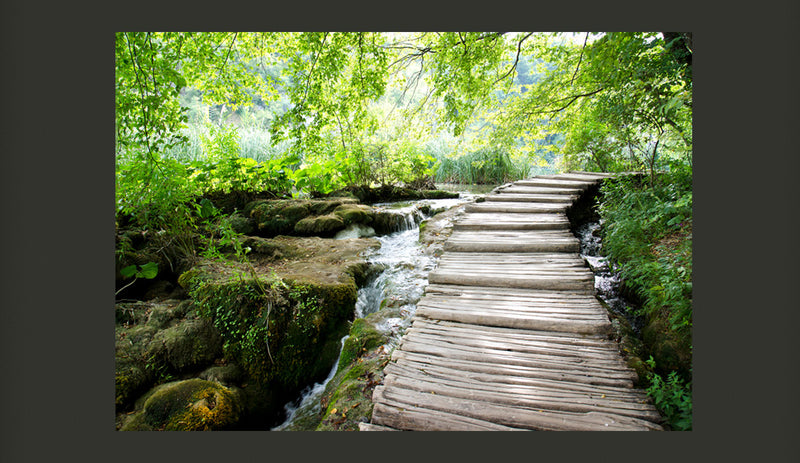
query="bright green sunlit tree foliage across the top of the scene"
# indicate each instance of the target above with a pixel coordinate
(604, 101)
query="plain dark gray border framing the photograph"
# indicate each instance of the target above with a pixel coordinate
(57, 185)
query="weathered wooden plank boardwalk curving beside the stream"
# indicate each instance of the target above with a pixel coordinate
(509, 335)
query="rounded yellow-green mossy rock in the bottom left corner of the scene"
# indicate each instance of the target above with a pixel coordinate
(190, 405)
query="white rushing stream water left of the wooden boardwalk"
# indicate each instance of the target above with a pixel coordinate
(397, 287)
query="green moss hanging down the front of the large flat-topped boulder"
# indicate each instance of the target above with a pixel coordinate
(284, 333)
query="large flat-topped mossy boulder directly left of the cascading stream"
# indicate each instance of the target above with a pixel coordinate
(282, 322)
